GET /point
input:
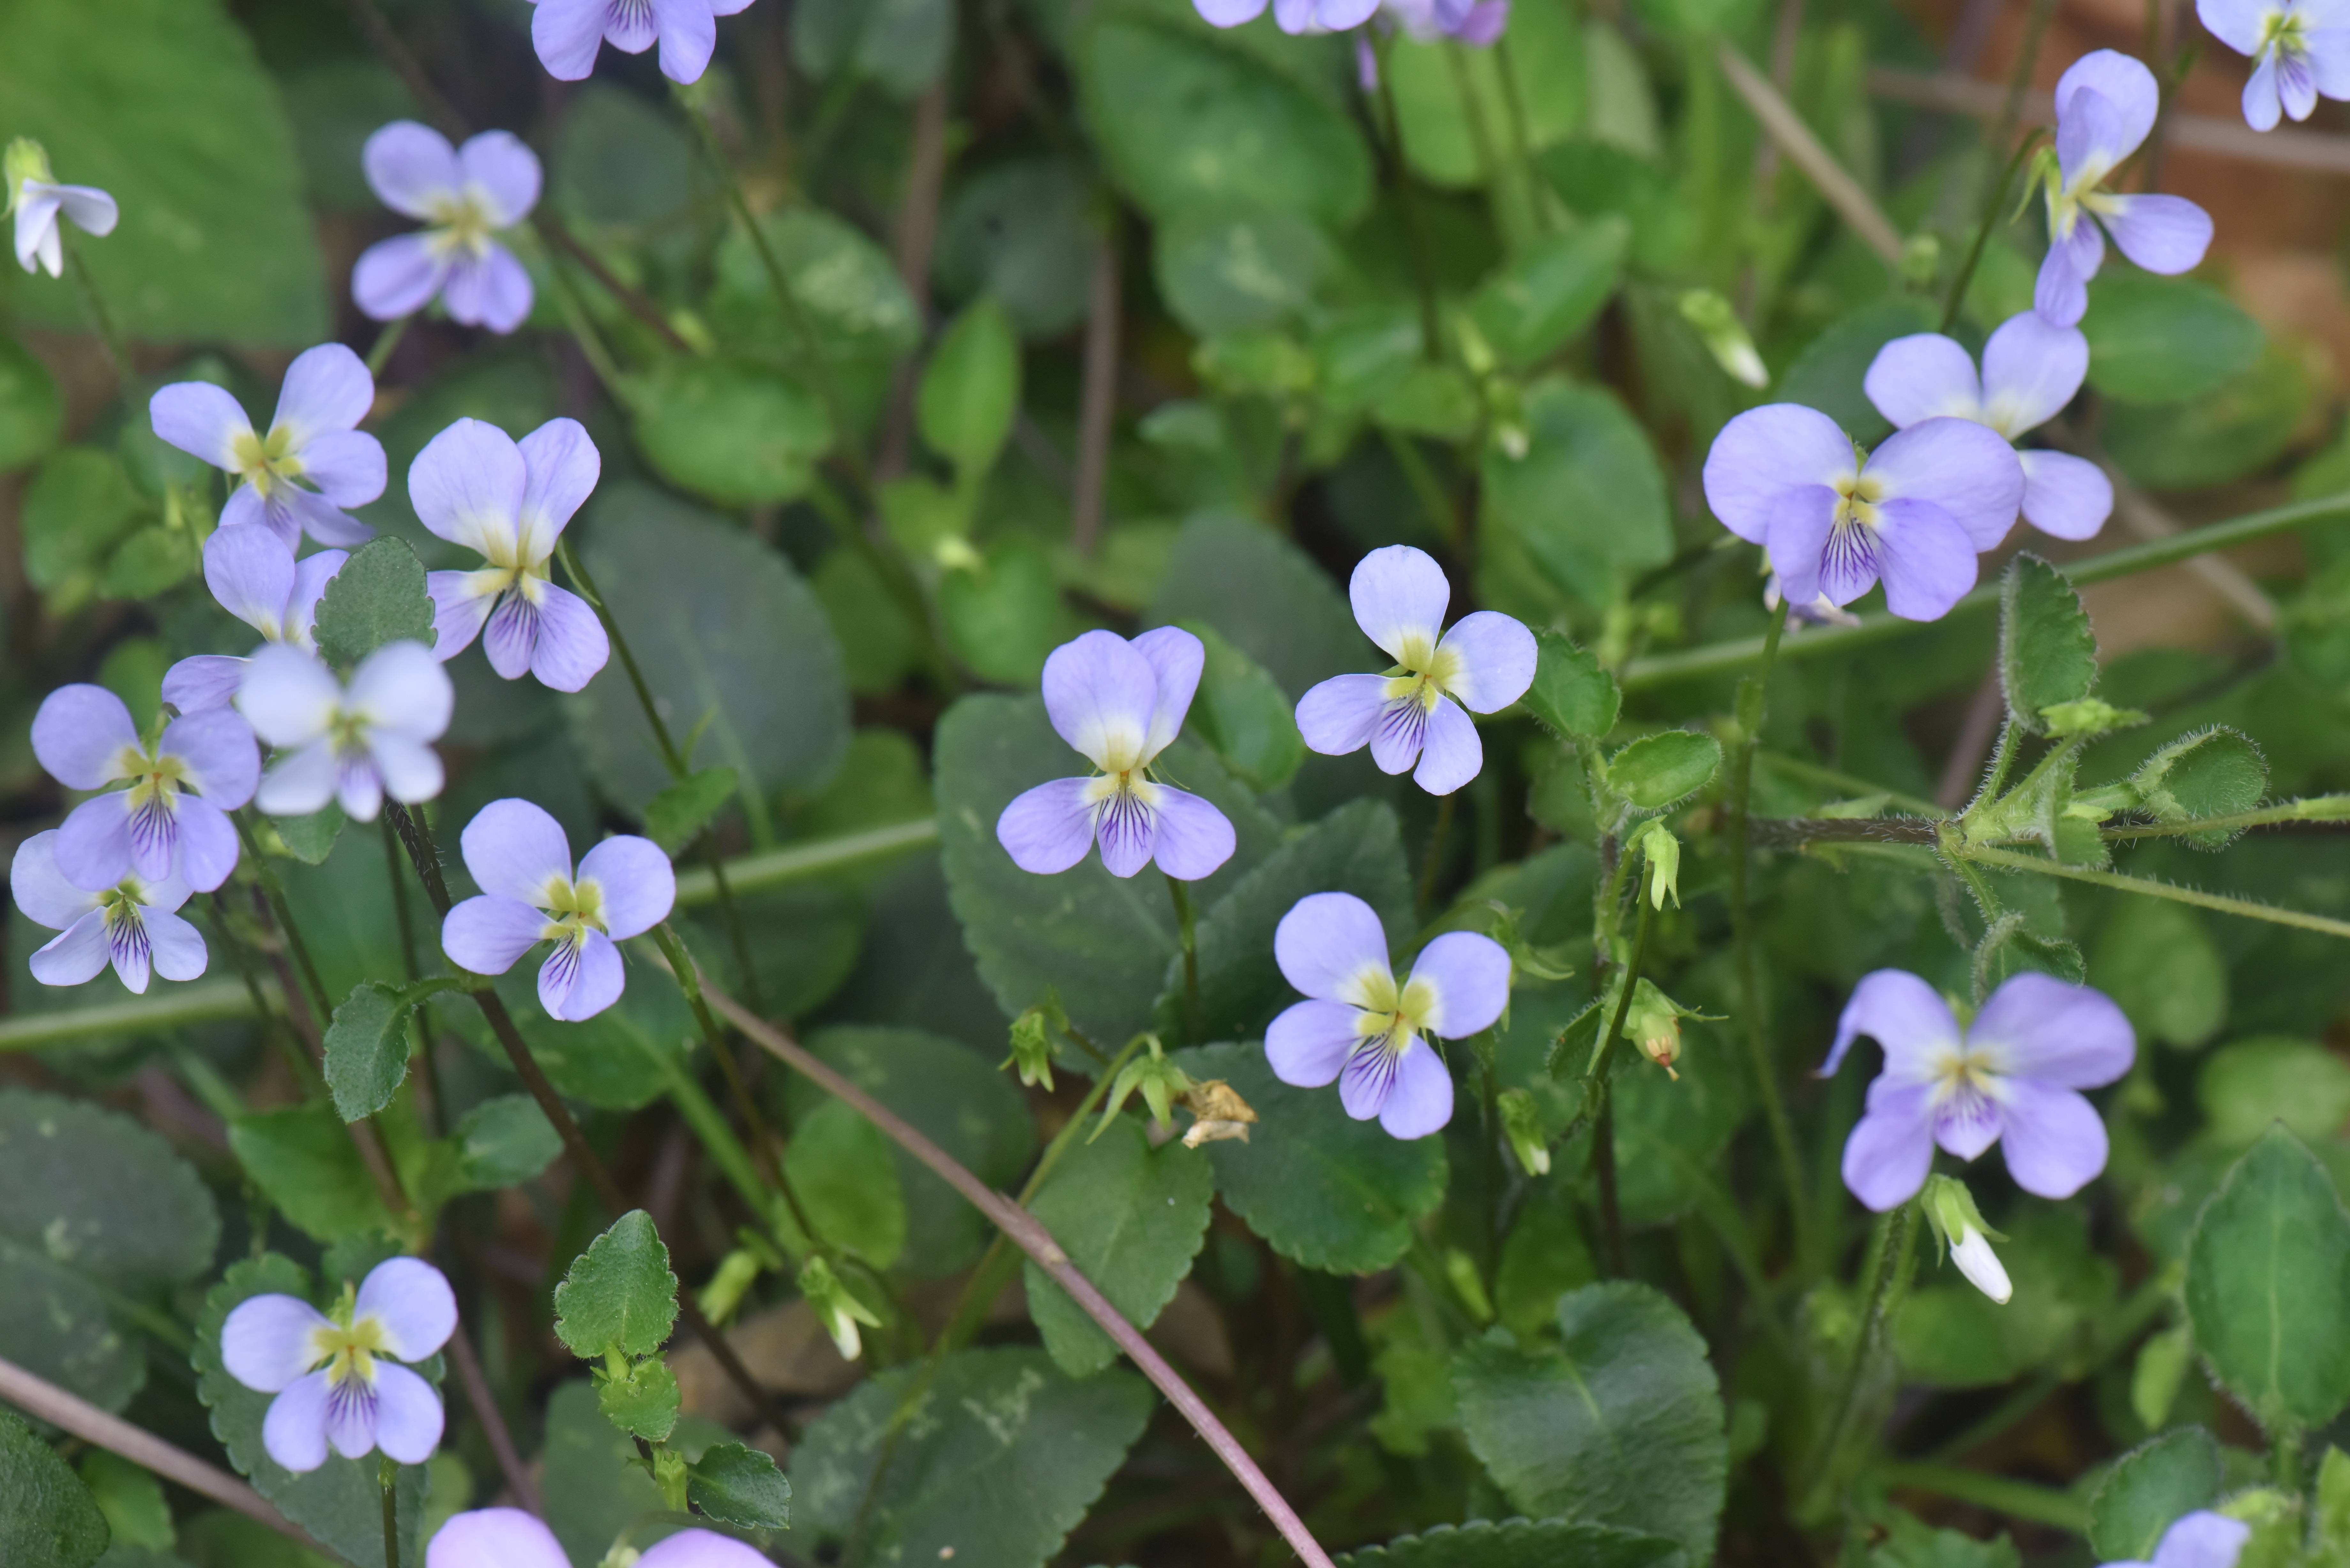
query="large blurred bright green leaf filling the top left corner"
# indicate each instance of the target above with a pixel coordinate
(166, 107)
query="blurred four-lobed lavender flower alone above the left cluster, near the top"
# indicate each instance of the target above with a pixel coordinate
(464, 196)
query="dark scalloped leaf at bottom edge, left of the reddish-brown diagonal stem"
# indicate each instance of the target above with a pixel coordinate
(1000, 1461)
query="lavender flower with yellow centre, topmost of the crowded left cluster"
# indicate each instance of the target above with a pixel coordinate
(314, 436)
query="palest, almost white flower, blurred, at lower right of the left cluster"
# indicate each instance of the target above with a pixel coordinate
(354, 746)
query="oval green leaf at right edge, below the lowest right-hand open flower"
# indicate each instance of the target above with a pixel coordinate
(2269, 1287)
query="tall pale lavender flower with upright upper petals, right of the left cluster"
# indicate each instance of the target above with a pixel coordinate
(511, 502)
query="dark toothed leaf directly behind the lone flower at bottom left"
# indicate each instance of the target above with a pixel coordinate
(340, 1503)
